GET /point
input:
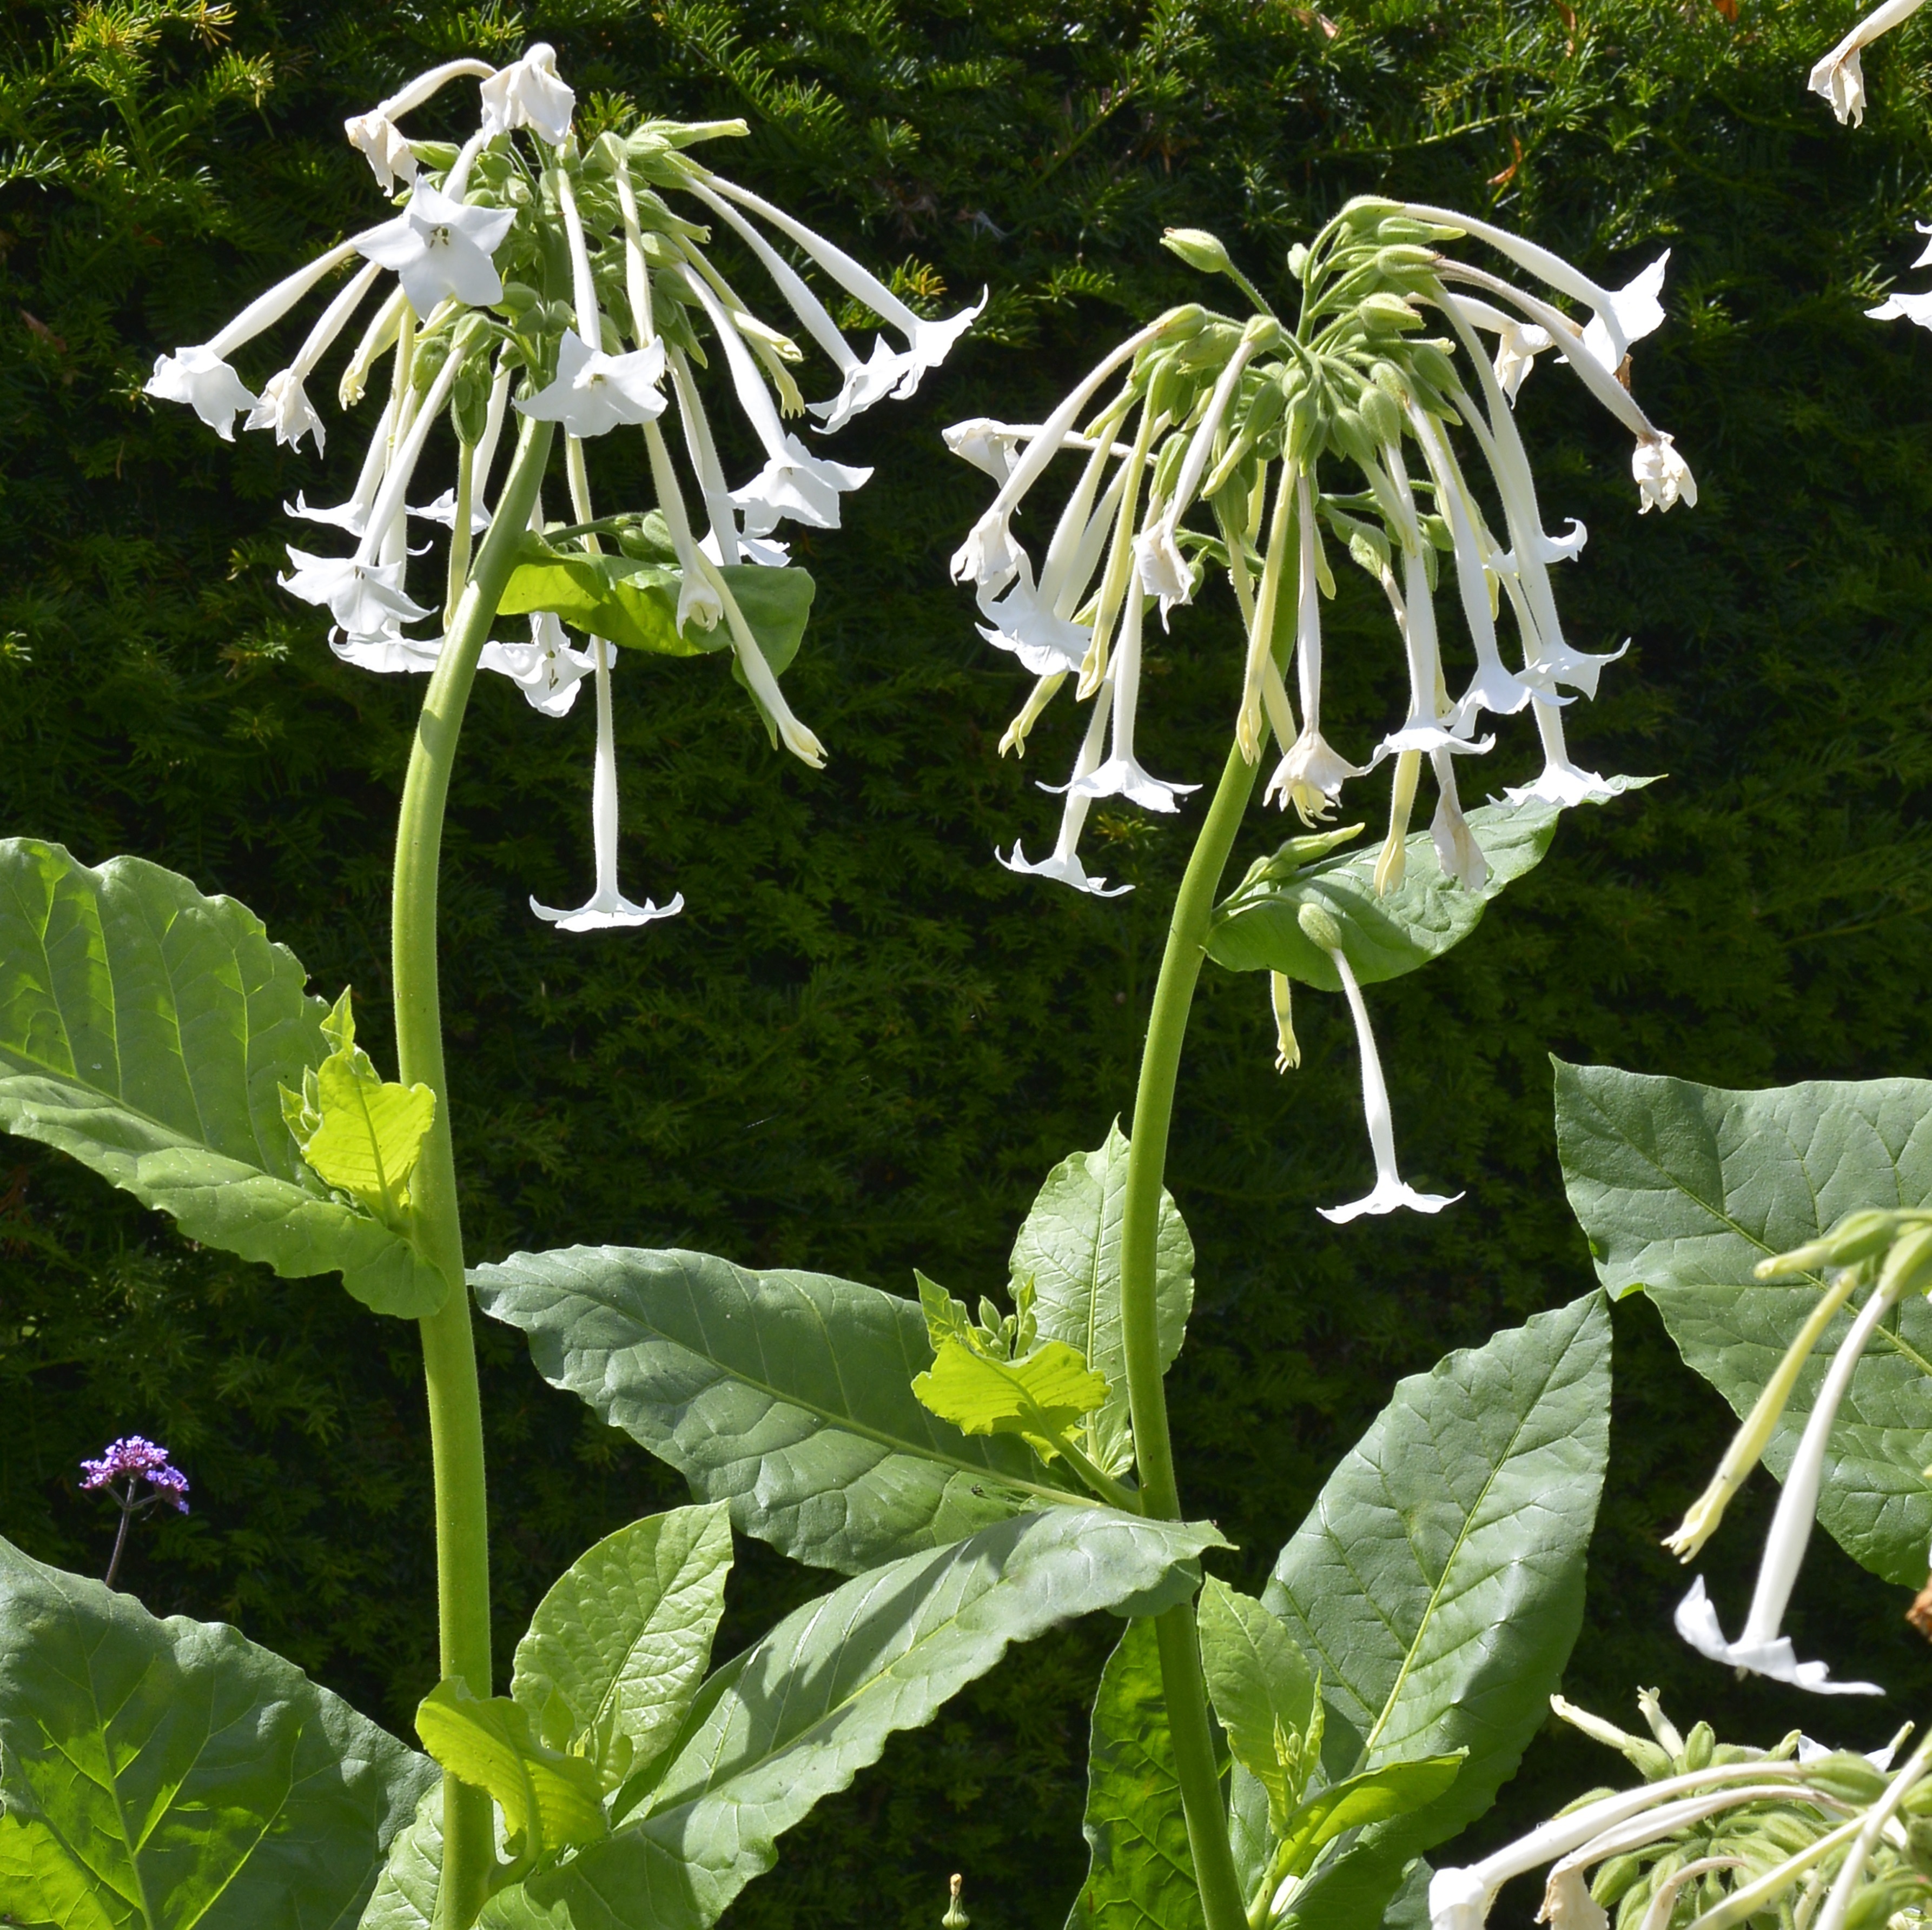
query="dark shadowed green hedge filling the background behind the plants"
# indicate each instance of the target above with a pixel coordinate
(865, 1044)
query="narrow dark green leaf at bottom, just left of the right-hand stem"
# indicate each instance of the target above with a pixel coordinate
(1141, 1875)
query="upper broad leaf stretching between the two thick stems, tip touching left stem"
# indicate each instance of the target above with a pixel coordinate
(785, 1394)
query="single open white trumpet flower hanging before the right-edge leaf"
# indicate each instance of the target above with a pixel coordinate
(1761, 1649)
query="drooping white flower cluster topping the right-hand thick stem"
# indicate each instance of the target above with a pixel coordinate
(1236, 418)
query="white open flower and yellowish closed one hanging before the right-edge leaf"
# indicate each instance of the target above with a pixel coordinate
(1890, 1253)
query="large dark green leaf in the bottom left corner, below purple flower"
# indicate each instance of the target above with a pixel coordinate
(169, 1774)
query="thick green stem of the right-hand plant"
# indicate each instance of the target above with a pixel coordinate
(1147, 1168)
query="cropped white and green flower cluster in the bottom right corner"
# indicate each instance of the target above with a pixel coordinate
(1719, 1836)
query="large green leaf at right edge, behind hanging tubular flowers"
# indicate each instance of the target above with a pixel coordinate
(1684, 1189)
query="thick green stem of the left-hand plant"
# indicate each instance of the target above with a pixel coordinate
(449, 1351)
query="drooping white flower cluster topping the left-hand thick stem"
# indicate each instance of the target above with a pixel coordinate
(538, 277)
